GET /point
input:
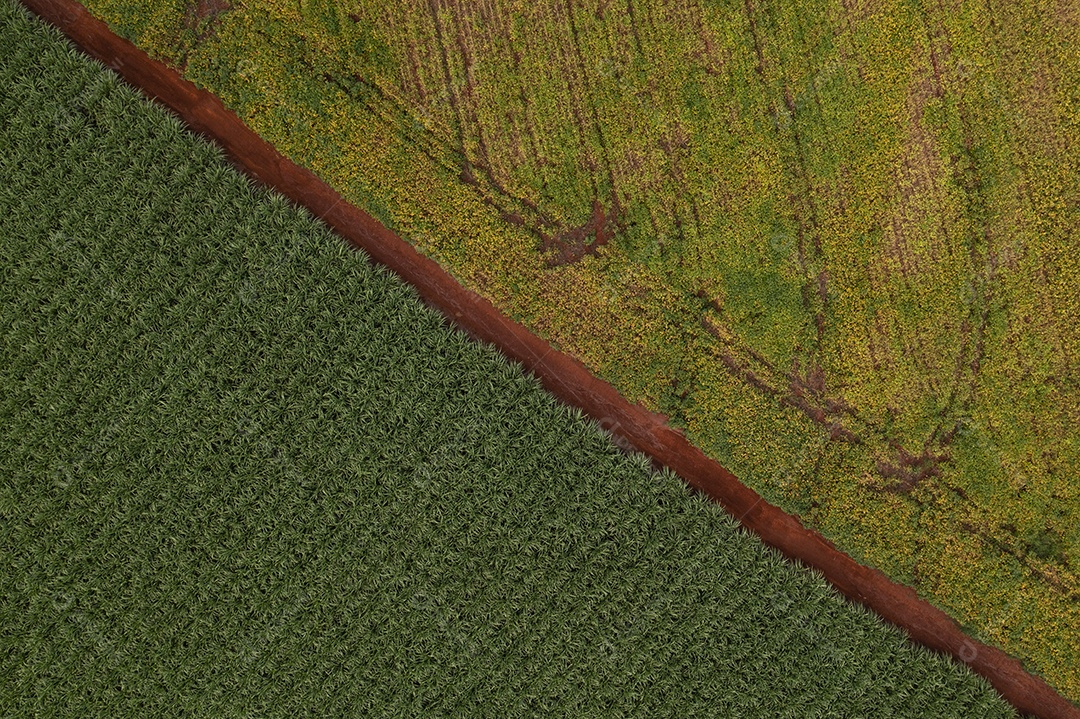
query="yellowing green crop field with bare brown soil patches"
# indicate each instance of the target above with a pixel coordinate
(833, 240)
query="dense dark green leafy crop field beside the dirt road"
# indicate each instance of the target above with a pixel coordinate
(246, 473)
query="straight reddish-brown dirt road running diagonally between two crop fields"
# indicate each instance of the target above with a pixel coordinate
(562, 375)
